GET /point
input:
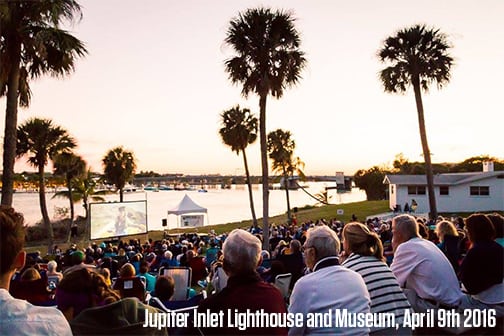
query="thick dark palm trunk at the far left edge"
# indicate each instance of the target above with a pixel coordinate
(10, 133)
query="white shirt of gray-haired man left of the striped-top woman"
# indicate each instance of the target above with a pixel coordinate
(329, 288)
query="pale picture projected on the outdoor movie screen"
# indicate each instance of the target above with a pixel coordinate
(117, 219)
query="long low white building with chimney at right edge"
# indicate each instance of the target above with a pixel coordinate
(455, 192)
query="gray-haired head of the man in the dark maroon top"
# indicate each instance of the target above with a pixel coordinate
(242, 251)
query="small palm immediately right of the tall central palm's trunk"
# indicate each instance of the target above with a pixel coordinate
(281, 151)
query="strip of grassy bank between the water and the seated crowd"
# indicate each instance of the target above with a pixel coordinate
(304, 214)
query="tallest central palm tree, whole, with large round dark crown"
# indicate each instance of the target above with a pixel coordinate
(267, 61)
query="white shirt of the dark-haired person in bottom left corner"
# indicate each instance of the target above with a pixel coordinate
(19, 317)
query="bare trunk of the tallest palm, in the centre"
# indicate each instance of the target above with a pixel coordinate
(264, 168)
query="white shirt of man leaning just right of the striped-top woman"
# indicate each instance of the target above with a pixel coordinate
(421, 266)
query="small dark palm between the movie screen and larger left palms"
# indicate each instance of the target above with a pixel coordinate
(70, 166)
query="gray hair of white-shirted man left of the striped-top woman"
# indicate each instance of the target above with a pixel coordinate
(324, 240)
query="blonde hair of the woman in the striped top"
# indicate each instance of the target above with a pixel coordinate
(362, 241)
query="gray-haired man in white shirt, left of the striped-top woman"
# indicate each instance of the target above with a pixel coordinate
(328, 286)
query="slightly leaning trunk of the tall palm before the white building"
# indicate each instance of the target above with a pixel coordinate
(425, 148)
